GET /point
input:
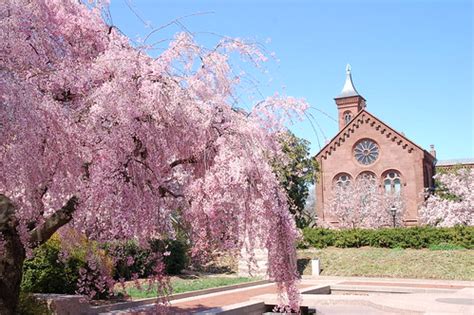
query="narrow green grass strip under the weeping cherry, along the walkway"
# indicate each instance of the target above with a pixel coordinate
(180, 285)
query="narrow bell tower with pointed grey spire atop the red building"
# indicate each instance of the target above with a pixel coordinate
(349, 102)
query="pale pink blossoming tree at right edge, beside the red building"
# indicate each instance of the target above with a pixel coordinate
(453, 203)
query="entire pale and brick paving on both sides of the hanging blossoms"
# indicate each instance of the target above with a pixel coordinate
(421, 297)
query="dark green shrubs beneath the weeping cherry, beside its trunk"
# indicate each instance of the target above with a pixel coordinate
(45, 272)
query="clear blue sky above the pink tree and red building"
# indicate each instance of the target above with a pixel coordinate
(411, 60)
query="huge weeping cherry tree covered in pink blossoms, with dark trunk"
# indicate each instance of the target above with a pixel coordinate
(98, 136)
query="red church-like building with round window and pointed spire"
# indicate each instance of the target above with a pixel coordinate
(365, 145)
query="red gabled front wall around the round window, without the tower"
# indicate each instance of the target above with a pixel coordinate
(393, 154)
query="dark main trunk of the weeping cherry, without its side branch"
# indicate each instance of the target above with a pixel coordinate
(11, 258)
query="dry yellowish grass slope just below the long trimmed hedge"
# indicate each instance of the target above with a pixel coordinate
(435, 263)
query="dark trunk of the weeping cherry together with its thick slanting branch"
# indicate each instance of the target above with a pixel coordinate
(13, 255)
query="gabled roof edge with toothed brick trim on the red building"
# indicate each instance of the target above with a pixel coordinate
(364, 117)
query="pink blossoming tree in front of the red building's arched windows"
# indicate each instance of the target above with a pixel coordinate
(362, 204)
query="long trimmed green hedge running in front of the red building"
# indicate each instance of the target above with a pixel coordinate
(412, 237)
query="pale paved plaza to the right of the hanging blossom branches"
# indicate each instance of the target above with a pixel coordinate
(389, 296)
